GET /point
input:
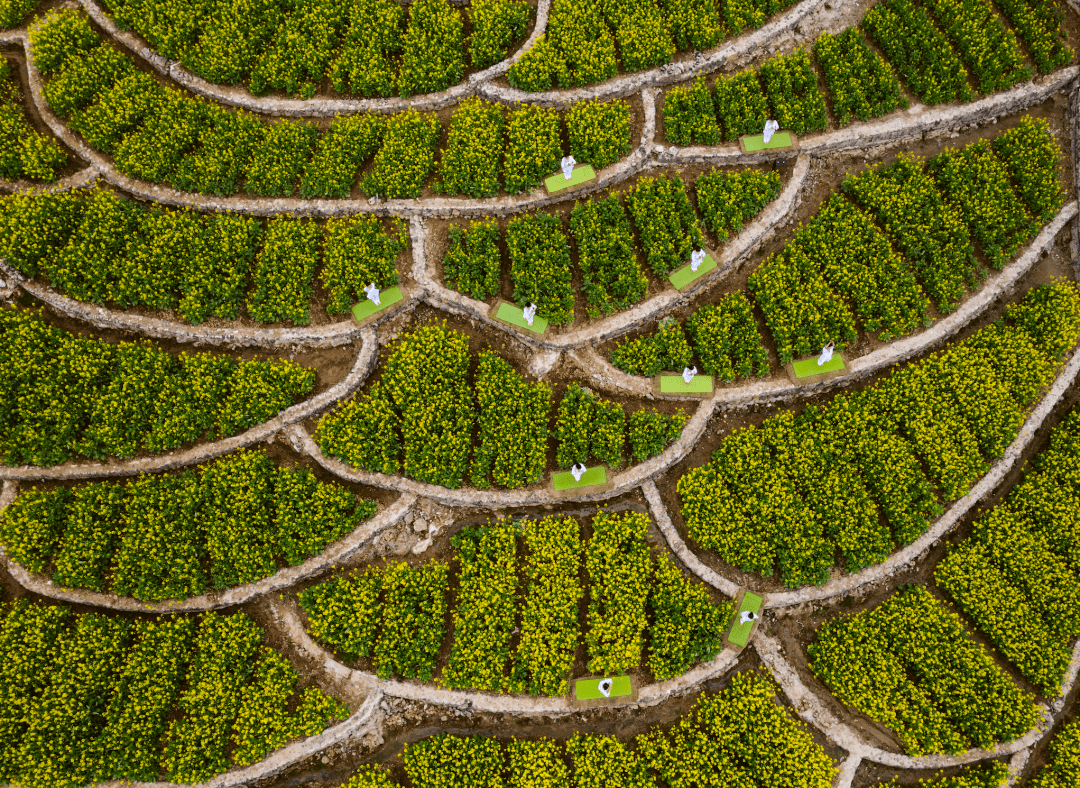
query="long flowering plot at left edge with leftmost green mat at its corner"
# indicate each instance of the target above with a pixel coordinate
(99, 248)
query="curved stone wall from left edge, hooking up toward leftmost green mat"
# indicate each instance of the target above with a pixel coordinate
(71, 471)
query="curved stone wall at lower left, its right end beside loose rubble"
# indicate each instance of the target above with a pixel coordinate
(335, 553)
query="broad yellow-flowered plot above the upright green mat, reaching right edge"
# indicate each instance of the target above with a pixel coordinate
(850, 481)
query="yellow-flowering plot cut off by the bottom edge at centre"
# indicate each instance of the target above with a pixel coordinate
(708, 743)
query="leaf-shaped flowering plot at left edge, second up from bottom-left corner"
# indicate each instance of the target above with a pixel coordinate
(240, 518)
